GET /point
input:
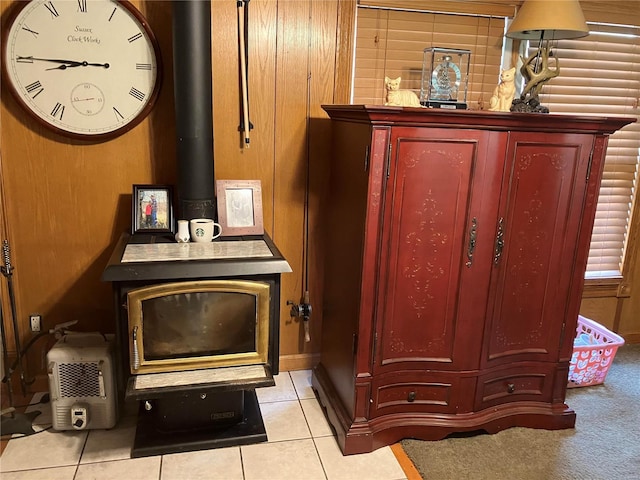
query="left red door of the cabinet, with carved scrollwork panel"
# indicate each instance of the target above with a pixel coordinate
(433, 202)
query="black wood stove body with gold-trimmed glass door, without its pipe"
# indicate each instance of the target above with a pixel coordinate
(197, 328)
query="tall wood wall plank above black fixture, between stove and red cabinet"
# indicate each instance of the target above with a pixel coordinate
(291, 146)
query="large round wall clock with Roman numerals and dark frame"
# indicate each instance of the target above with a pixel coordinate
(86, 69)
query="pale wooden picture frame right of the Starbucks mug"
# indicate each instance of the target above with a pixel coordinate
(240, 207)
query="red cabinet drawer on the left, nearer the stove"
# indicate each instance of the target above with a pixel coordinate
(419, 392)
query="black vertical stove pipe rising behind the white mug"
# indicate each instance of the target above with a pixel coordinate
(192, 79)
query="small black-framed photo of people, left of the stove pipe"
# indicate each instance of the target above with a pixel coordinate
(152, 209)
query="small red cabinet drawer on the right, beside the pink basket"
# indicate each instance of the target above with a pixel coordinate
(515, 384)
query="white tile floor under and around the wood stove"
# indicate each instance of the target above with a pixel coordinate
(300, 446)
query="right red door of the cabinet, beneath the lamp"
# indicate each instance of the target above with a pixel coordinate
(543, 197)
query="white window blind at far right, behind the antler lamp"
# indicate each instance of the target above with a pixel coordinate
(600, 75)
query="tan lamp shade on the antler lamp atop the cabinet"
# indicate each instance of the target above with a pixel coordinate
(556, 19)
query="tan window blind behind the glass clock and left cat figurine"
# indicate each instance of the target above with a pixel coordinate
(391, 43)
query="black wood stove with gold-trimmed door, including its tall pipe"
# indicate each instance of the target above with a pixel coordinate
(197, 325)
